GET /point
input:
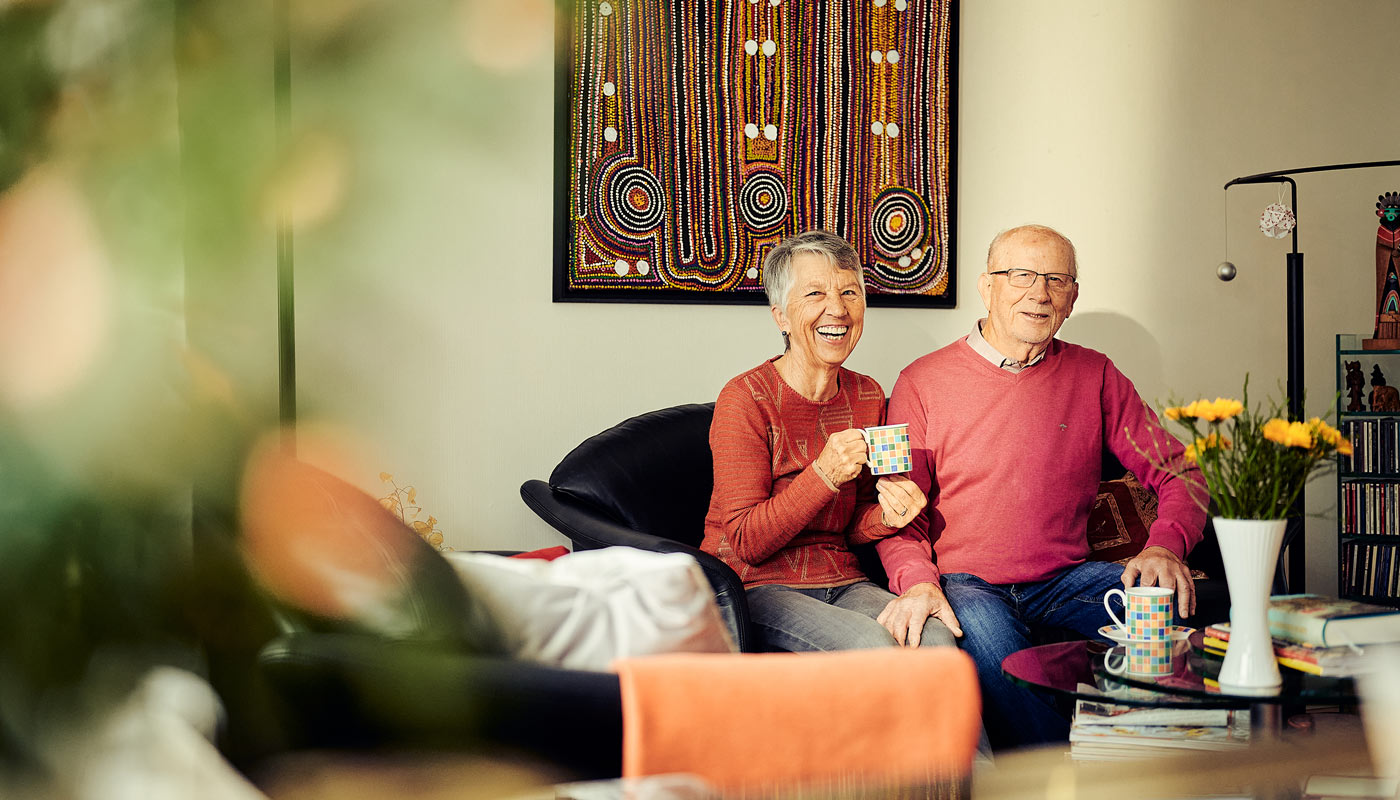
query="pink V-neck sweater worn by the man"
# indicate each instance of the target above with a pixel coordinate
(1011, 464)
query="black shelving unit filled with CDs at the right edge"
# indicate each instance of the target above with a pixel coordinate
(1368, 485)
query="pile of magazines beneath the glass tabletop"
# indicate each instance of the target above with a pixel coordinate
(1104, 731)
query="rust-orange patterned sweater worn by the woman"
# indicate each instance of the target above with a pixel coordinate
(772, 518)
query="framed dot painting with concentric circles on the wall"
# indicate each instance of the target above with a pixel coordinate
(698, 135)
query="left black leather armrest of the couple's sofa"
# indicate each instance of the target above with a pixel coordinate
(589, 529)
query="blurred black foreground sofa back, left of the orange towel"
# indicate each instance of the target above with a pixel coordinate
(359, 693)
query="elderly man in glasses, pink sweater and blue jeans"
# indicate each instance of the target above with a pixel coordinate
(1009, 427)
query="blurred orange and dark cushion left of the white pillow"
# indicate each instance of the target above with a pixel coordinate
(335, 560)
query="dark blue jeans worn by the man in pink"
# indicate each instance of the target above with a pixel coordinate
(997, 621)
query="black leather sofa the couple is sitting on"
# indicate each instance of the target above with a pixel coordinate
(646, 483)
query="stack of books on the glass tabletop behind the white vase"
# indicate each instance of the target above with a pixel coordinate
(1318, 634)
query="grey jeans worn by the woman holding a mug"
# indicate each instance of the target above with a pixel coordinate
(838, 619)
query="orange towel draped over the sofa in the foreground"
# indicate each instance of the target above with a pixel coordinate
(785, 719)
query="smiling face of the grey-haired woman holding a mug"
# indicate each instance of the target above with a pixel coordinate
(825, 312)
